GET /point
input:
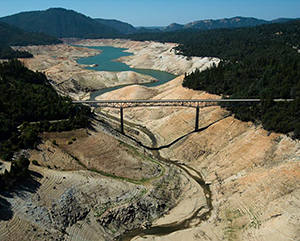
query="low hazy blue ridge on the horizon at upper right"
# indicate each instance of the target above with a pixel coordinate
(235, 22)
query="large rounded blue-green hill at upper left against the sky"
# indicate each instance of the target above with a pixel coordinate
(61, 23)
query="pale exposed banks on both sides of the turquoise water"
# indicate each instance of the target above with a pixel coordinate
(70, 78)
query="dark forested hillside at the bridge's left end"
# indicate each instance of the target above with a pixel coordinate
(25, 97)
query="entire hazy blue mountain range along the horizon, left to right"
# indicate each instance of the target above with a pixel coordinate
(63, 23)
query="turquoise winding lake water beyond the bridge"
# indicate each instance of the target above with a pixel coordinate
(105, 63)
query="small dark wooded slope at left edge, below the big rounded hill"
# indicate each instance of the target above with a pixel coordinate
(12, 36)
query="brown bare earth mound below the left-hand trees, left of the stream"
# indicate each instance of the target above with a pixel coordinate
(96, 151)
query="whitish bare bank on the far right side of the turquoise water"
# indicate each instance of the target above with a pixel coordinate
(154, 55)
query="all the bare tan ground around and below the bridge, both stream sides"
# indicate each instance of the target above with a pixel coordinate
(253, 176)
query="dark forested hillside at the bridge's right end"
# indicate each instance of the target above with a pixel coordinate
(258, 62)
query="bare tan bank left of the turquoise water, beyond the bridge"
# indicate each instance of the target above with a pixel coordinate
(70, 78)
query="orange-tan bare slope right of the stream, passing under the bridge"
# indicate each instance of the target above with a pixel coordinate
(254, 175)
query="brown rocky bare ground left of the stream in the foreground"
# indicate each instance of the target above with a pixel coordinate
(96, 188)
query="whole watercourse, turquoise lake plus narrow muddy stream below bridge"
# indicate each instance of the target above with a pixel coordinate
(105, 62)
